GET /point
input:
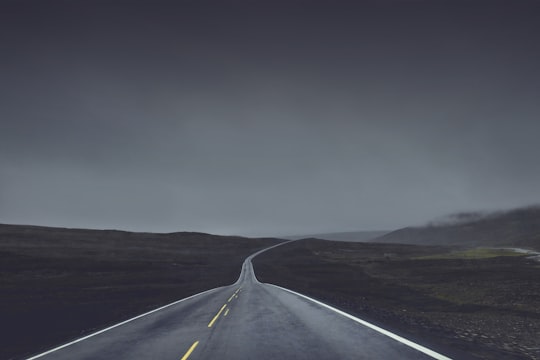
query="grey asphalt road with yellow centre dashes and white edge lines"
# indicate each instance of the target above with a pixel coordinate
(246, 320)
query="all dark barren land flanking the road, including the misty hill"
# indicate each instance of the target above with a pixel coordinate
(479, 302)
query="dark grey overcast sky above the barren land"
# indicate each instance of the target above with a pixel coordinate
(266, 117)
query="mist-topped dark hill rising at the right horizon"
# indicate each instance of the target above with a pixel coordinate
(514, 228)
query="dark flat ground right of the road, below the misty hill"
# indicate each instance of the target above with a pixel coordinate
(482, 302)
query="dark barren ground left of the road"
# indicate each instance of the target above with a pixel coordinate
(59, 284)
